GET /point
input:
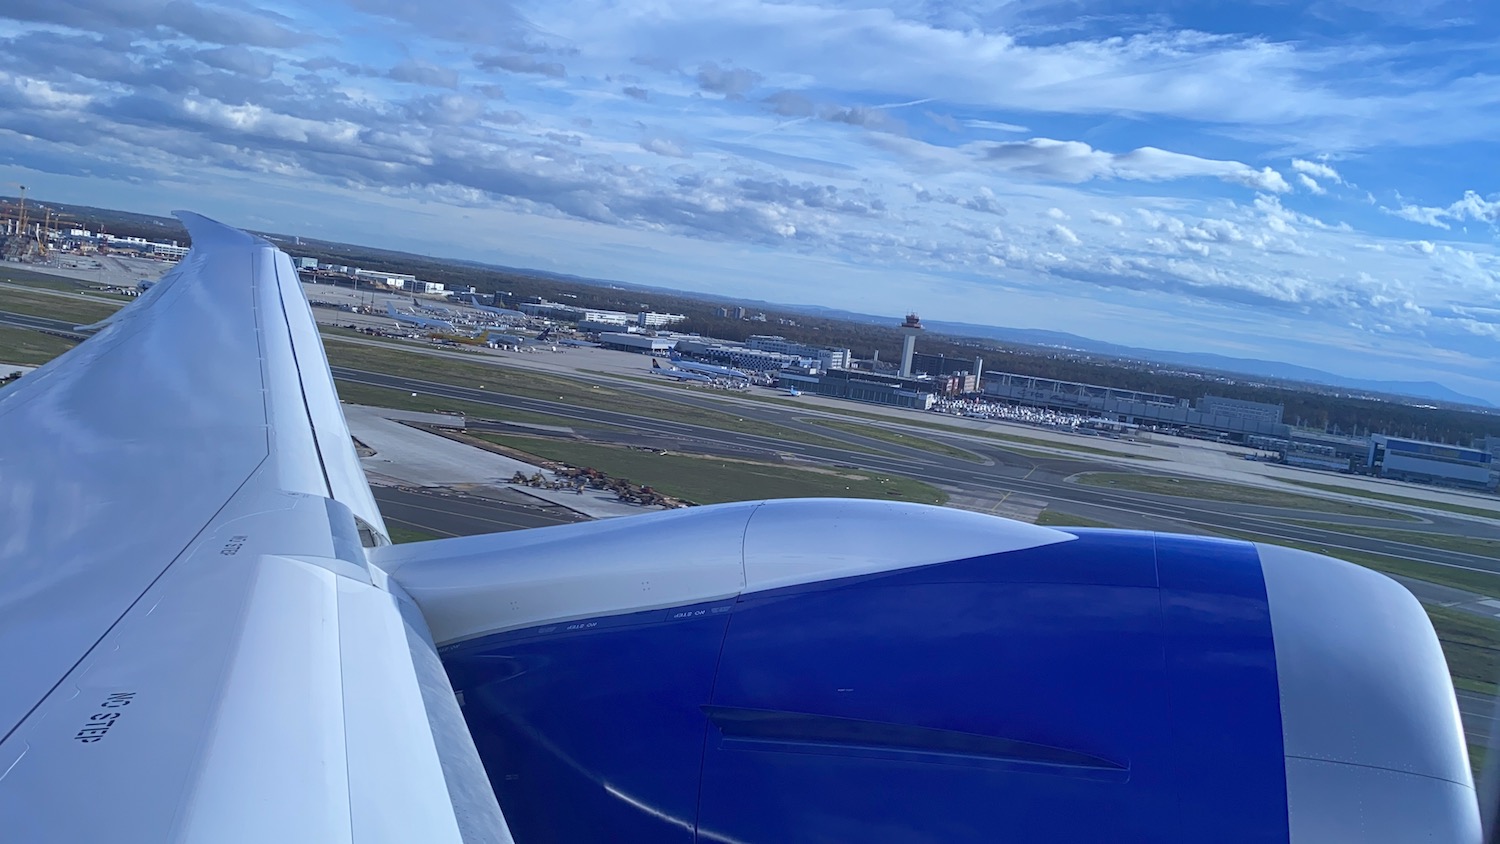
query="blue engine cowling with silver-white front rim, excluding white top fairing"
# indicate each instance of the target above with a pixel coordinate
(1121, 687)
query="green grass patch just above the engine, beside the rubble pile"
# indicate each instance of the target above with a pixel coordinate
(715, 480)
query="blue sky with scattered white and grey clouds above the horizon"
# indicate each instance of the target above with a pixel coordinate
(1306, 182)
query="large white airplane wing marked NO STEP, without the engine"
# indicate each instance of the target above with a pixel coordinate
(193, 644)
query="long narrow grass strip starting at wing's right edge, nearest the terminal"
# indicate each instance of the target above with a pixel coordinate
(557, 389)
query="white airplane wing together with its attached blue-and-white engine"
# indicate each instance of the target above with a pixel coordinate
(208, 636)
